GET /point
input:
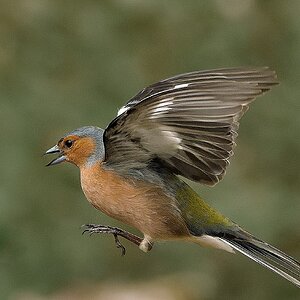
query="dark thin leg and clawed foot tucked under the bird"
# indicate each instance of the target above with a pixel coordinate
(94, 228)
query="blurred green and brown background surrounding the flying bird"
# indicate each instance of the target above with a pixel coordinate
(65, 64)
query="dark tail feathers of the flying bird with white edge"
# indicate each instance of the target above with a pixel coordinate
(266, 255)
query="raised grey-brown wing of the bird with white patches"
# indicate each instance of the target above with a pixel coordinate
(188, 122)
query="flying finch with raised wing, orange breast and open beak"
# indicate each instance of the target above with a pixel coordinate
(181, 127)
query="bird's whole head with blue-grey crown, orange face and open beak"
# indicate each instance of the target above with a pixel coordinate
(82, 147)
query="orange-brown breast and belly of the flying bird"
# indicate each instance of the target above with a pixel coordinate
(137, 203)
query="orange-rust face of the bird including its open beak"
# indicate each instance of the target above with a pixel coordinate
(74, 149)
